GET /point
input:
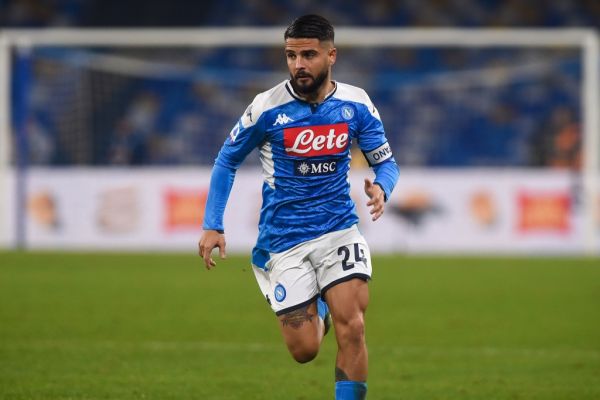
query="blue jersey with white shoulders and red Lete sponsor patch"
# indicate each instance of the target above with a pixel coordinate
(305, 155)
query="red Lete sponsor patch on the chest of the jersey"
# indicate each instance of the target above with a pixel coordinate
(319, 140)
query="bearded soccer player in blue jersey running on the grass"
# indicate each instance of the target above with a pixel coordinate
(311, 262)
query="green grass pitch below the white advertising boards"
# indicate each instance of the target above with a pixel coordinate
(159, 326)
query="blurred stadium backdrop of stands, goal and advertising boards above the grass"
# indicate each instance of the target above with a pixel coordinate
(496, 130)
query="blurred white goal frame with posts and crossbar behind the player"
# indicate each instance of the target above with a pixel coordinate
(586, 40)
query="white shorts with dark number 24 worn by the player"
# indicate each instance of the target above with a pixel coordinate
(295, 277)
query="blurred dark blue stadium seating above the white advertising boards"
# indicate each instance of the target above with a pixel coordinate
(182, 119)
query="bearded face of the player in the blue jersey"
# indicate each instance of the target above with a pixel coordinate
(309, 62)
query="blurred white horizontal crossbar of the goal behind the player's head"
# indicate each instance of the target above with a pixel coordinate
(345, 36)
